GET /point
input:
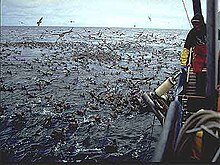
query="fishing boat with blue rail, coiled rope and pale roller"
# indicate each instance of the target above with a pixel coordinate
(191, 122)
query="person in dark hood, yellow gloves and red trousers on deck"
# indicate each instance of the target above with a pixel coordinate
(197, 41)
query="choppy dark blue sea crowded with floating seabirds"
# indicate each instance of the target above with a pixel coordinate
(66, 98)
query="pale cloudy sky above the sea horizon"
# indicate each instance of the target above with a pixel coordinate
(164, 14)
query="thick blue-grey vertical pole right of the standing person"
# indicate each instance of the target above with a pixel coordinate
(210, 88)
